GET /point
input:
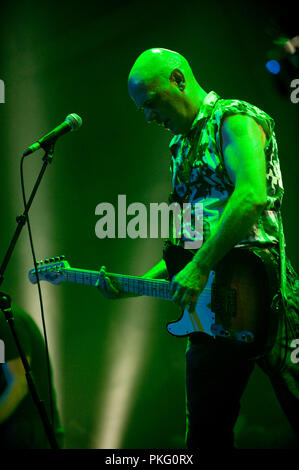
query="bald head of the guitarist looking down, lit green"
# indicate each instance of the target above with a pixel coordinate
(162, 84)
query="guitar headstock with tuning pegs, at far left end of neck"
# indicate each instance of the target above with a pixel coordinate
(50, 269)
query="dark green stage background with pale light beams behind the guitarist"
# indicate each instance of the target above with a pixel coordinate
(119, 375)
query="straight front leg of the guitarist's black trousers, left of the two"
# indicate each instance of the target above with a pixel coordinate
(217, 372)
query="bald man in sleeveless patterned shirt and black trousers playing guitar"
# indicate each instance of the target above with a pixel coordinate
(224, 156)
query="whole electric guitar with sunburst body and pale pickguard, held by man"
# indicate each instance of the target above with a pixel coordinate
(234, 303)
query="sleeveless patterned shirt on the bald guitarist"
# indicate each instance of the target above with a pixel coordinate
(199, 174)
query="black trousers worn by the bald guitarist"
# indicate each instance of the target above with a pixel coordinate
(217, 372)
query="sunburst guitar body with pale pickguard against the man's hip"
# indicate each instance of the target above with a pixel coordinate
(235, 303)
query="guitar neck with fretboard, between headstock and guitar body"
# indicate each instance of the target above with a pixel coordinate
(157, 288)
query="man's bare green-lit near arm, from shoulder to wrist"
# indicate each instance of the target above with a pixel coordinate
(243, 150)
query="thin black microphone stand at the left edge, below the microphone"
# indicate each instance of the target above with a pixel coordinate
(5, 300)
